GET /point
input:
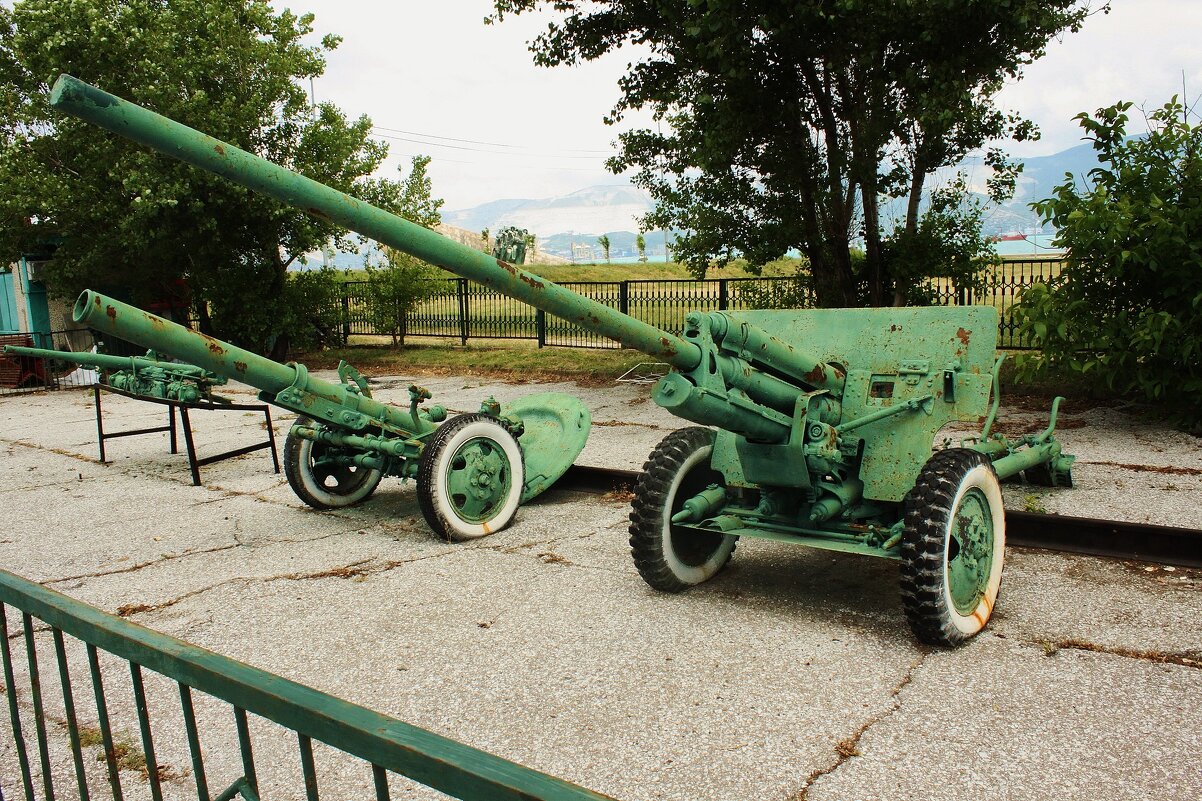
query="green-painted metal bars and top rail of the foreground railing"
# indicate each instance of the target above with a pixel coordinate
(386, 744)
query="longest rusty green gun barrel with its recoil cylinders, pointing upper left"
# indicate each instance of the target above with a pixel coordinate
(772, 393)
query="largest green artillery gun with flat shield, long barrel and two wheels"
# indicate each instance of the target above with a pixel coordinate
(826, 419)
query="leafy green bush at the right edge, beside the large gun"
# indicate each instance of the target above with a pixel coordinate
(1127, 311)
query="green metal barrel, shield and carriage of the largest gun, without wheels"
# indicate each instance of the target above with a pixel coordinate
(825, 418)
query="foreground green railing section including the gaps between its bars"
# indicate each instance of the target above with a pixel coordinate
(80, 741)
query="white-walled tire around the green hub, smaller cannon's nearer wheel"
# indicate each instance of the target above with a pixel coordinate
(439, 506)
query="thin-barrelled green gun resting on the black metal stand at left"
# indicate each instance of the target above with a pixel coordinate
(146, 376)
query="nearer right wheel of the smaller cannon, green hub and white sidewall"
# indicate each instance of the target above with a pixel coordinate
(469, 482)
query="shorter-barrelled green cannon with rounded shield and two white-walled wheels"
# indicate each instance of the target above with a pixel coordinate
(472, 473)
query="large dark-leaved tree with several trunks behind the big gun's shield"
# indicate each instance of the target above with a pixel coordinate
(789, 122)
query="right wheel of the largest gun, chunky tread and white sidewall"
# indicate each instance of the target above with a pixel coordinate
(953, 548)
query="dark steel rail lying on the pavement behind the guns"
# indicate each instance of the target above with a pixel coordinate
(1104, 538)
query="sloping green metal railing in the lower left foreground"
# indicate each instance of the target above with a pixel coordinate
(384, 745)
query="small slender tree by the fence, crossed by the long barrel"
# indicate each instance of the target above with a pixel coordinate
(404, 282)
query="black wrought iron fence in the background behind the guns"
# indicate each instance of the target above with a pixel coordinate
(468, 311)
